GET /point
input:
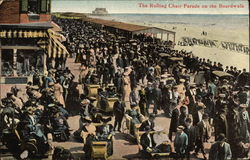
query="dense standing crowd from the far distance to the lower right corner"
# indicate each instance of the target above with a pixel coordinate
(143, 78)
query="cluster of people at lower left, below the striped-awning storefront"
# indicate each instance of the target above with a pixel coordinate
(27, 120)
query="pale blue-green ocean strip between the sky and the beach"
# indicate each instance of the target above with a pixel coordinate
(230, 22)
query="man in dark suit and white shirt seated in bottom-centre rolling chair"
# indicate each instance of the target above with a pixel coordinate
(147, 142)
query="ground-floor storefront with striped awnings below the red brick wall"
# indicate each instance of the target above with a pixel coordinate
(26, 49)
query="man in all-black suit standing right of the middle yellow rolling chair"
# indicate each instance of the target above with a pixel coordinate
(119, 110)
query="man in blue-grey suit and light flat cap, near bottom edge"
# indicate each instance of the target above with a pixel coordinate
(181, 142)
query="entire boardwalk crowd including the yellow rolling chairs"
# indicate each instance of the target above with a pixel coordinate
(130, 81)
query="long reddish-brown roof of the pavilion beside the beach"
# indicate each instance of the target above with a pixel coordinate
(118, 25)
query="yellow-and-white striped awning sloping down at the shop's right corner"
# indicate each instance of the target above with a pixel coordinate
(55, 47)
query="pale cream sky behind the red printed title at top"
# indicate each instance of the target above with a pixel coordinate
(145, 6)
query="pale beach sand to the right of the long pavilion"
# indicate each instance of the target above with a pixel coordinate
(226, 57)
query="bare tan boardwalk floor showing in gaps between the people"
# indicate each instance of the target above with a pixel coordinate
(124, 148)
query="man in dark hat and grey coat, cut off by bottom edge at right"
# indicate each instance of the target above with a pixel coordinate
(220, 150)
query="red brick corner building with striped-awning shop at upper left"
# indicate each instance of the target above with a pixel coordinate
(28, 40)
